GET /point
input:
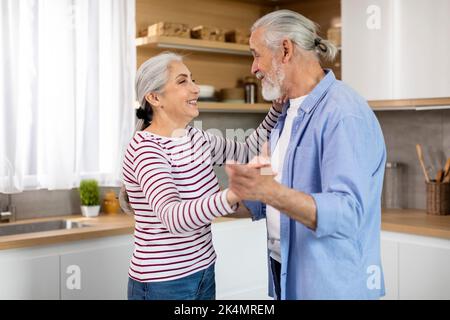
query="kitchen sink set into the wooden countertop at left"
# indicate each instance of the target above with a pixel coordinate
(8, 230)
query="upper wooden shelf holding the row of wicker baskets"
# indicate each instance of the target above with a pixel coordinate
(193, 45)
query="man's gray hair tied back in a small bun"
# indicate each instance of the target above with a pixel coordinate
(300, 30)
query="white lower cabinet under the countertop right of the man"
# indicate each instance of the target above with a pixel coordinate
(415, 267)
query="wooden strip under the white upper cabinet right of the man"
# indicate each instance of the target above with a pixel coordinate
(411, 104)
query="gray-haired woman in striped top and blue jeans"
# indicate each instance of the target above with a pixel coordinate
(171, 185)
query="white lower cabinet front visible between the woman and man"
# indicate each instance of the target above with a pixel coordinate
(241, 267)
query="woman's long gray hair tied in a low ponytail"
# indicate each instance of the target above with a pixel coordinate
(151, 76)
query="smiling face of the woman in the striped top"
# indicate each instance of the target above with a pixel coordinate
(180, 95)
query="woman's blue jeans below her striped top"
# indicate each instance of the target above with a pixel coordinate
(198, 286)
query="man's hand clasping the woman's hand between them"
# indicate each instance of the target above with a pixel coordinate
(253, 181)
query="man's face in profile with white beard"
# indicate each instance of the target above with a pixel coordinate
(266, 66)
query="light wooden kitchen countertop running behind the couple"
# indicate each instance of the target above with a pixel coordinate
(410, 221)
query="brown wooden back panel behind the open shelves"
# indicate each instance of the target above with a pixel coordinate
(219, 70)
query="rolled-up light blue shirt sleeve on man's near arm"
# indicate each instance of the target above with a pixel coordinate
(346, 173)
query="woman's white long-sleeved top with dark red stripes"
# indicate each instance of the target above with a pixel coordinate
(175, 195)
